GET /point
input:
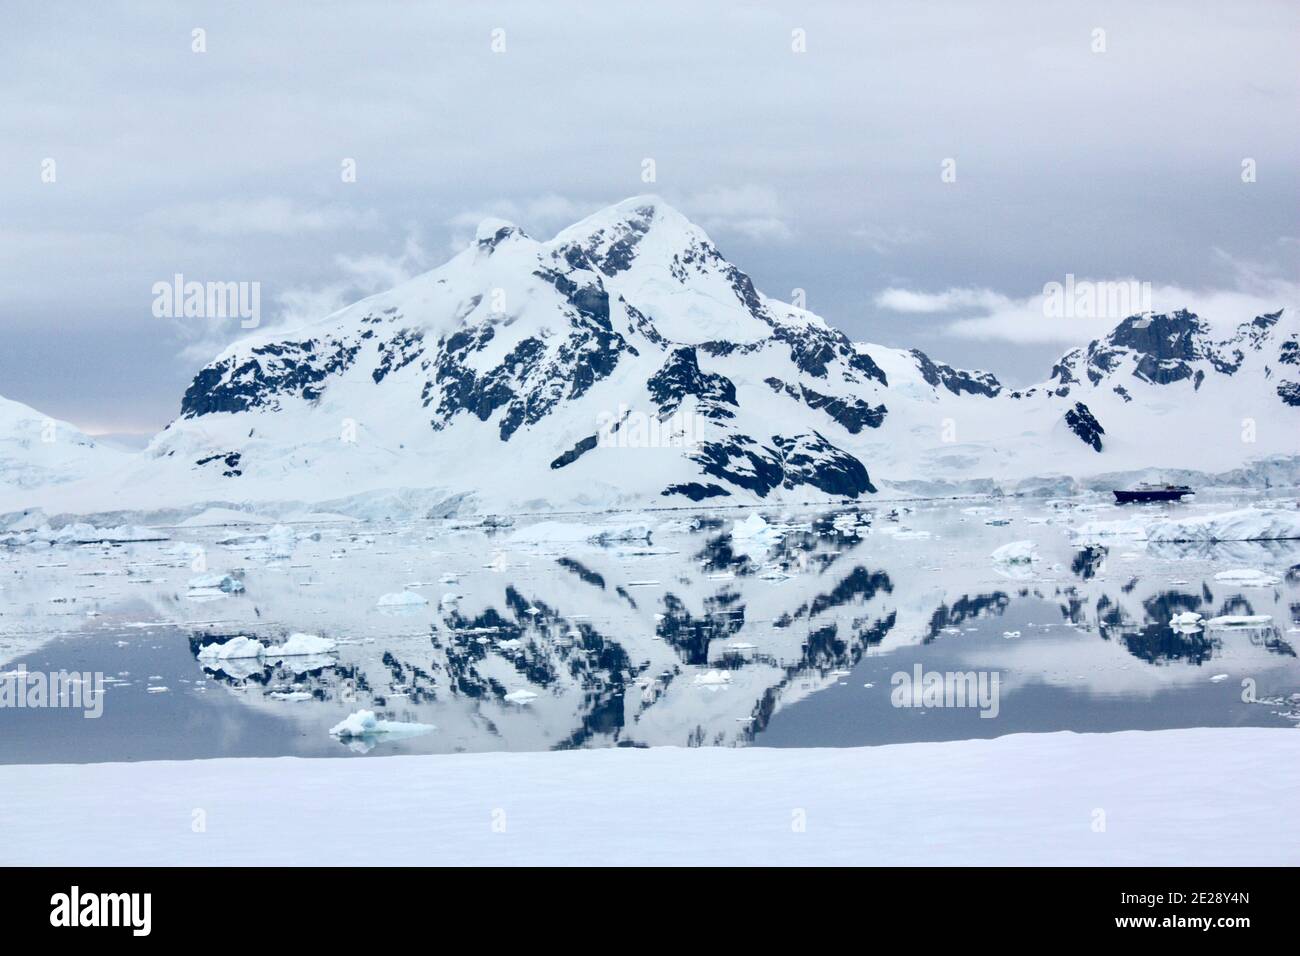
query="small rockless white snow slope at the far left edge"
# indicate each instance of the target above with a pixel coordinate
(37, 451)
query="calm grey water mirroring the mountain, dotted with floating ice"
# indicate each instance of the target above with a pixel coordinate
(658, 630)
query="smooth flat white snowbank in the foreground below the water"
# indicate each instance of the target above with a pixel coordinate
(1176, 798)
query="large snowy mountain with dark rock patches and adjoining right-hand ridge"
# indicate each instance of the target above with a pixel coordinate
(627, 364)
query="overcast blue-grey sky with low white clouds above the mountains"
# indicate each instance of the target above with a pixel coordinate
(818, 170)
